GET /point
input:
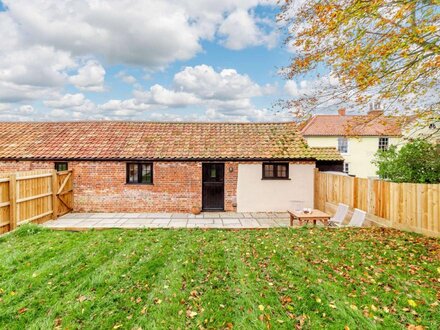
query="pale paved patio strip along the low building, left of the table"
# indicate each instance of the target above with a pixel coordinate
(218, 220)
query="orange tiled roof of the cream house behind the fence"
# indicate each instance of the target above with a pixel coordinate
(359, 125)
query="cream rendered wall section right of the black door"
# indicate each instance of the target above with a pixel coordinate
(257, 195)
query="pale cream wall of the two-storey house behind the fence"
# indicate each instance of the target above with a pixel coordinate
(360, 153)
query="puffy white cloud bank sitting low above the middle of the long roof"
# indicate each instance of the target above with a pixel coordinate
(216, 95)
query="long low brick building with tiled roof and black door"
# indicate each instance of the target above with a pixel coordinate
(171, 167)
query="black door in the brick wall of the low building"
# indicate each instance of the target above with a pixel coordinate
(213, 186)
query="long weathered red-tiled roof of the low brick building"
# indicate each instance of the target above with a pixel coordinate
(156, 141)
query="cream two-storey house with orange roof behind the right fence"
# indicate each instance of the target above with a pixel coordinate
(357, 137)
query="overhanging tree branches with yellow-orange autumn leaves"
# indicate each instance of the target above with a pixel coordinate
(382, 50)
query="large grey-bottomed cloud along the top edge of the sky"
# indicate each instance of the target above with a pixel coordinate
(150, 33)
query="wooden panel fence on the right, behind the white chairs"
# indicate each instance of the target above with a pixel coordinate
(406, 206)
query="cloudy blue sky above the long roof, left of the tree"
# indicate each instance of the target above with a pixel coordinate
(154, 60)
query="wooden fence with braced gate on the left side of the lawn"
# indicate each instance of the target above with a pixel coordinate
(34, 196)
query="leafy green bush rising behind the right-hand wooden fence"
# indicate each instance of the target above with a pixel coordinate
(417, 161)
